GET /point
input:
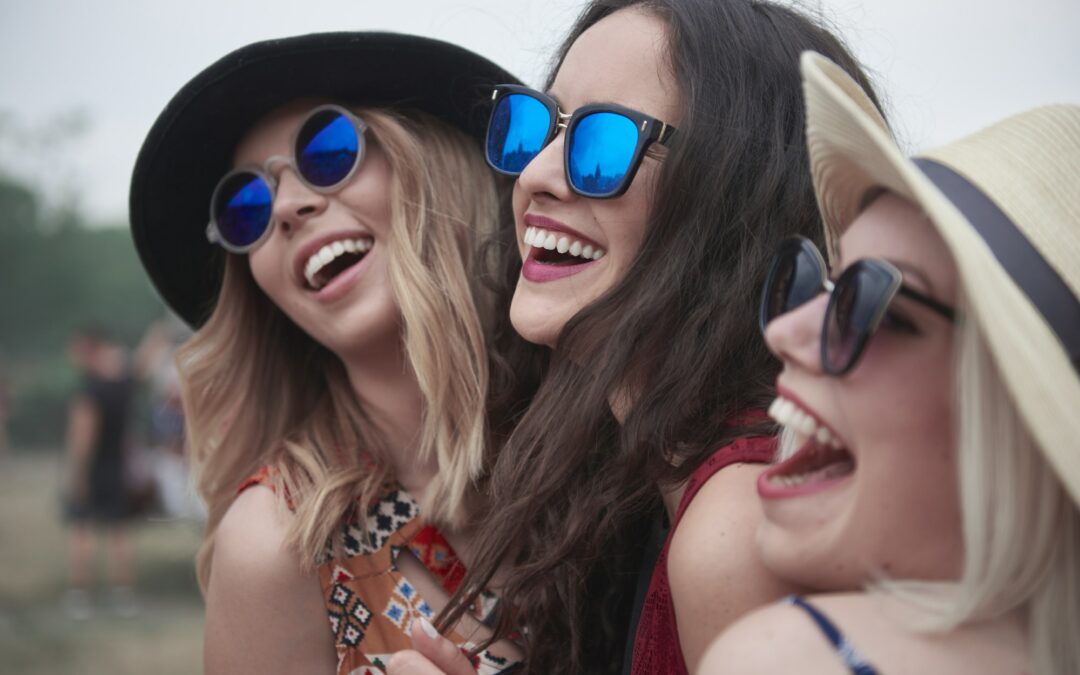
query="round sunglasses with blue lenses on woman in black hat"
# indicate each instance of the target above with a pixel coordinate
(328, 150)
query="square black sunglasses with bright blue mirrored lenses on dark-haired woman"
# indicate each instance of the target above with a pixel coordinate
(604, 145)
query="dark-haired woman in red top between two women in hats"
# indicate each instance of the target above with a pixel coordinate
(644, 246)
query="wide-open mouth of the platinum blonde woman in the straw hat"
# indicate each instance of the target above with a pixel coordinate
(821, 457)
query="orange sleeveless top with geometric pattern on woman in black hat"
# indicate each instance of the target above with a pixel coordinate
(370, 604)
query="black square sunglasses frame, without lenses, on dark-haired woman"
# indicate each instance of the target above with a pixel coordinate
(650, 131)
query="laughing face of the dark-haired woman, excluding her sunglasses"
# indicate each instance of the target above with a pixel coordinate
(620, 60)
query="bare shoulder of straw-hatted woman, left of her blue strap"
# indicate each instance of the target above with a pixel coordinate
(777, 639)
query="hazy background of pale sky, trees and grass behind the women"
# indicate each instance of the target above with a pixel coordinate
(83, 83)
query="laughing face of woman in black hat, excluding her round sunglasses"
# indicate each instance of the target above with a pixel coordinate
(325, 264)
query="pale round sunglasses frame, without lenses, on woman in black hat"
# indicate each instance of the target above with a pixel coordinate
(265, 173)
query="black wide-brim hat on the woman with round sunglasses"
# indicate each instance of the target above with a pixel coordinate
(192, 144)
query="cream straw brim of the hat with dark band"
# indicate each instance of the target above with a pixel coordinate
(852, 152)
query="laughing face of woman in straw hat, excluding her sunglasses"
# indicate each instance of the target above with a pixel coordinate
(885, 498)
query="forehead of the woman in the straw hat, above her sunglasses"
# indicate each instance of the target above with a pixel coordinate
(897, 231)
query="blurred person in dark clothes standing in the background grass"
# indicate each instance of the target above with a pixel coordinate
(96, 490)
